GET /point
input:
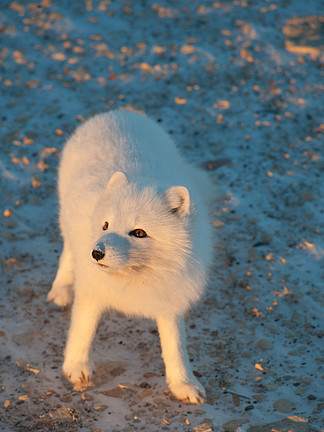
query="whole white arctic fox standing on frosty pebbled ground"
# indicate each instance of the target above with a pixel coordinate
(136, 239)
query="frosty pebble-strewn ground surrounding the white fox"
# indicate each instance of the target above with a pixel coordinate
(239, 84)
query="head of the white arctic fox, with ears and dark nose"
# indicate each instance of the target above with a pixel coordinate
(141, 229)
